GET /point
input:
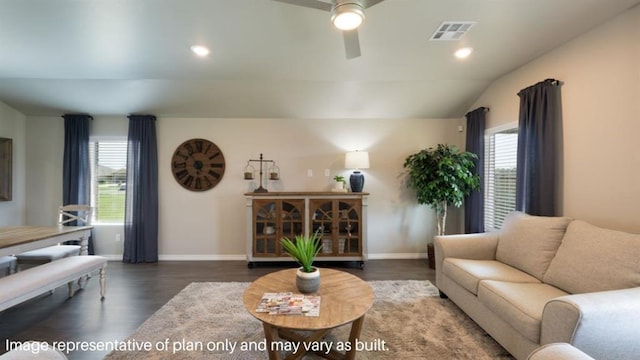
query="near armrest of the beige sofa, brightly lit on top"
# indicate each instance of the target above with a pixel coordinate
(603, 324)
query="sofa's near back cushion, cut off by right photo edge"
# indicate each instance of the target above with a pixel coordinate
(595, 259)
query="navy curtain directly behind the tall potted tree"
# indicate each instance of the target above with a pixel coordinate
(474, 203)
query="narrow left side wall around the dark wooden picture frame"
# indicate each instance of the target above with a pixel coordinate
(12, 126)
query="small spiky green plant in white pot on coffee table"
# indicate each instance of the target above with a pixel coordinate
(304, 250)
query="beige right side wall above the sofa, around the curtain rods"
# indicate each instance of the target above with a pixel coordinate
(601, 119)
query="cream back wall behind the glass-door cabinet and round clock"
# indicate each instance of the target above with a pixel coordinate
(211, 224)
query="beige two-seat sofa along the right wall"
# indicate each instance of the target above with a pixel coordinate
(543, 280)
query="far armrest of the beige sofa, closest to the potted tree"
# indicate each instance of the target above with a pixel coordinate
(480, 246)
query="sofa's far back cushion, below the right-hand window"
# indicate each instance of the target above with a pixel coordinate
(530, 242)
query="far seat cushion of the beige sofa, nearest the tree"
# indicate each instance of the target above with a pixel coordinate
(468, 273)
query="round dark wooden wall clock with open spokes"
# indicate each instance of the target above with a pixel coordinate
(198, 164)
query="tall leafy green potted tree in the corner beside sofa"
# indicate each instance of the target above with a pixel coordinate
(441, 177)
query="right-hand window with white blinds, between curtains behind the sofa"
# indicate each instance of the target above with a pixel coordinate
(501, 148)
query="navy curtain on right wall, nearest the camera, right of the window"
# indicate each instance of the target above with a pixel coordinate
(538, 144)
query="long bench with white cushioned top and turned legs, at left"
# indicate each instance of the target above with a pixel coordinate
(32, 282)
